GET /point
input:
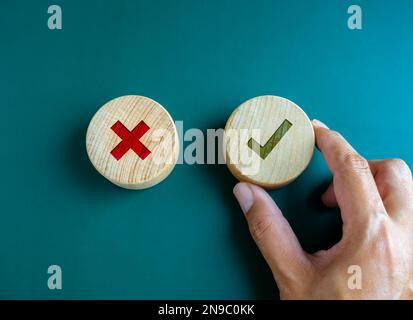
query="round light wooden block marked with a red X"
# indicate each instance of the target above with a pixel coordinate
(133, 142)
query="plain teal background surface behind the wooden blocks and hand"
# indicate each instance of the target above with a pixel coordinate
(186, 237)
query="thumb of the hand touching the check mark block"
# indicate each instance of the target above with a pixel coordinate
(272, 234)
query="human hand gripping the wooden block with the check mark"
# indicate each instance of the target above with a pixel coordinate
(376, 203)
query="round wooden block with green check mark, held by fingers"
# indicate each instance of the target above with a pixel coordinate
(268, 141)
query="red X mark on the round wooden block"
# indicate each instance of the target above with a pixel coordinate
(130, 140)
